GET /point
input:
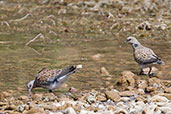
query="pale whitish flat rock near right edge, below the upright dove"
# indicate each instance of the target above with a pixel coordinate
(158, 98)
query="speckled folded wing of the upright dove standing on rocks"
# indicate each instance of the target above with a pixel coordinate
(145, 56)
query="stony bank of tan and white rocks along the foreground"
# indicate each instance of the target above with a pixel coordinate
(151, 96)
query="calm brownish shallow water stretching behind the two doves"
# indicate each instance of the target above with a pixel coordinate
(20, 63)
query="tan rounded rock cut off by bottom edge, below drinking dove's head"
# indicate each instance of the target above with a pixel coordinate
(36, 110)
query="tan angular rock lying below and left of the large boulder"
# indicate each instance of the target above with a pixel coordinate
(114, 96)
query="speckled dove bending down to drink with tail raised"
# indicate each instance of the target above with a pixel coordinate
(51, 78)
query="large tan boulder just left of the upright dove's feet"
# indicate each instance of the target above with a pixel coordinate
(127, 78)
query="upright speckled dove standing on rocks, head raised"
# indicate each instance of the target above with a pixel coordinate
(144, 56)
